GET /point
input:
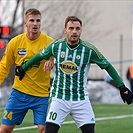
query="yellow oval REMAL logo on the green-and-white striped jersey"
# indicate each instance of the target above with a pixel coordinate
(68, 67)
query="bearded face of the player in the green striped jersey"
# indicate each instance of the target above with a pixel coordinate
(73, 31)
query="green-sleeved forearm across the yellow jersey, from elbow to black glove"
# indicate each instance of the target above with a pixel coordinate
(35, 59)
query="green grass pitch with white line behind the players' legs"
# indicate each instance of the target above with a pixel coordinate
(110, 118)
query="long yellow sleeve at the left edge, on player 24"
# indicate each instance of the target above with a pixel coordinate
(6, 61)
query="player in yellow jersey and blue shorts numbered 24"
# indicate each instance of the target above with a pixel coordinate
(32, 92)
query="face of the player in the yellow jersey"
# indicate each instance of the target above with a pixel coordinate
(33, 23)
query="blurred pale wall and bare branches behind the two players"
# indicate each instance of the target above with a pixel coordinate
(106, 24)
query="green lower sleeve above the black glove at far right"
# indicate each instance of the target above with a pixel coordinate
(113, 73)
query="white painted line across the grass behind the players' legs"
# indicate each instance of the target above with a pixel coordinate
(70, 122)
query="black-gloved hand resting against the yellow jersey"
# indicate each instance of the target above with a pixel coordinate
(19, 72)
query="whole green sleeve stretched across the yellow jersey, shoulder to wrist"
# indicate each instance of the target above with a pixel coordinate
(46, 53)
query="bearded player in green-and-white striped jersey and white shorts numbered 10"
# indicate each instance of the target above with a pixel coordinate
(73, 57)
